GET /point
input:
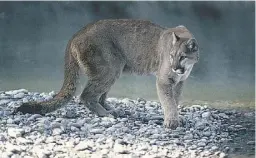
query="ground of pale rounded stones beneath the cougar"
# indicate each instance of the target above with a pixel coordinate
(73, 131)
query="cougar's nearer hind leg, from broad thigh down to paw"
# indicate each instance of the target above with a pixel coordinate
(103, 66)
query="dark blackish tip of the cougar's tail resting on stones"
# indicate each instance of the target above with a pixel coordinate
(30, 108)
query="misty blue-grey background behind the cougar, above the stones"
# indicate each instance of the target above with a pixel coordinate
(33, 37)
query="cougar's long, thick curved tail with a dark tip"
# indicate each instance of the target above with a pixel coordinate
(65, 94)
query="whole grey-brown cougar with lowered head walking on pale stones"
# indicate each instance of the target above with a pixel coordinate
(107, 48)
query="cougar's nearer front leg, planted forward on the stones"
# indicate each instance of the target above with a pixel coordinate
(165, 91)
